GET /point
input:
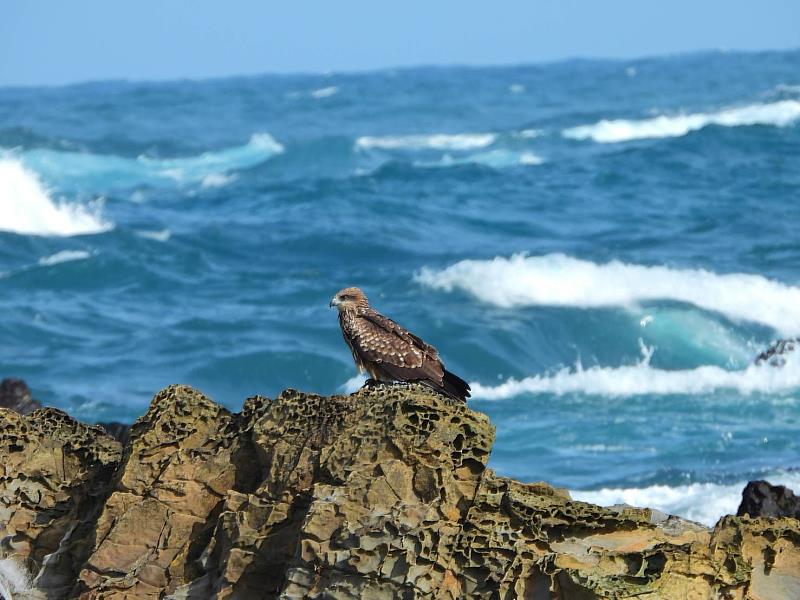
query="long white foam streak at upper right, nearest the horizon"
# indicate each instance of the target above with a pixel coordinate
(778, 114)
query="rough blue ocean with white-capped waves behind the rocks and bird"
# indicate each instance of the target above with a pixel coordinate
(600, 247)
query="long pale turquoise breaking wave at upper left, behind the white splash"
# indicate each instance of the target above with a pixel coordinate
(97, 171)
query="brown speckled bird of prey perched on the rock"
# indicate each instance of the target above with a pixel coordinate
(388, 352)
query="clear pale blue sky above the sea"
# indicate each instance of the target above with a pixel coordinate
(59, 41)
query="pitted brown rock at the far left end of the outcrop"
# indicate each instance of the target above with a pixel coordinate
(54, 475)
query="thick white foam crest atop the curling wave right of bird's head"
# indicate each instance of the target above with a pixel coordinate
(559, 280)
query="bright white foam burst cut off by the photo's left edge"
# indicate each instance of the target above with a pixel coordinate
(26, 207)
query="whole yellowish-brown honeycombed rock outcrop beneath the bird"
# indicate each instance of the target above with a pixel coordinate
(383, 494)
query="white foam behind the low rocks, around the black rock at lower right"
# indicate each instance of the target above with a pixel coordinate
(702, 502)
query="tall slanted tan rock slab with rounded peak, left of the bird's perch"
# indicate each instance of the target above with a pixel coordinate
(184, 456)
